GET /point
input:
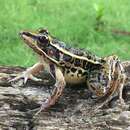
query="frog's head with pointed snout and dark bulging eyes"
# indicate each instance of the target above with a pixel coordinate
(37, 41)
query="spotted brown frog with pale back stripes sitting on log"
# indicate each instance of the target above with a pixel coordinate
(104, 76)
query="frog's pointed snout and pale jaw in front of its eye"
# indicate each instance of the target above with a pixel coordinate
(31, 40)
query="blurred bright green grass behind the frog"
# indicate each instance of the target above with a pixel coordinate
(71, 21)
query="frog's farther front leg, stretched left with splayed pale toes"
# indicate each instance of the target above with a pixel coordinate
(29, 73)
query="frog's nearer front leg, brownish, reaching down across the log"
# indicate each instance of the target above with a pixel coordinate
(59, 87)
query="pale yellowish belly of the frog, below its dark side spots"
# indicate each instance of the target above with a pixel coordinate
(74, 78)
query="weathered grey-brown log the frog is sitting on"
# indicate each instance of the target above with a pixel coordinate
(71, 112)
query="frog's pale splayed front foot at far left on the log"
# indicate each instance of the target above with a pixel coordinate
(25, 76)
